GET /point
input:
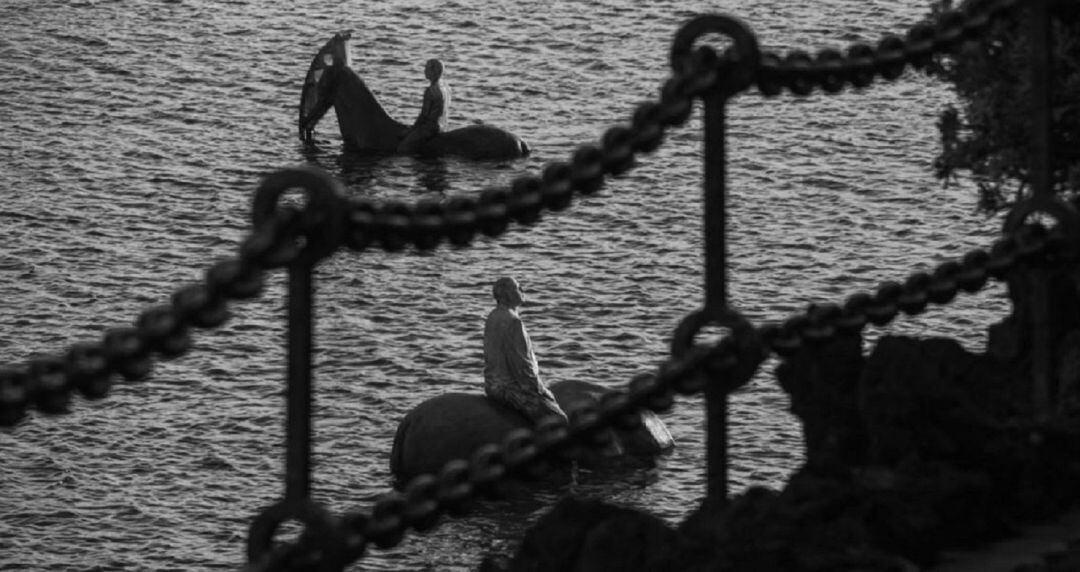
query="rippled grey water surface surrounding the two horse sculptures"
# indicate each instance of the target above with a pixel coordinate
(133, 134)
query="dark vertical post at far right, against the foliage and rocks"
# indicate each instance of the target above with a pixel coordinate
(1043, 194)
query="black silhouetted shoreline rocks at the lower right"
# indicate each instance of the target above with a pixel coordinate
(917, 450)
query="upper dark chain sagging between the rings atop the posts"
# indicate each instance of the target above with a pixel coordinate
(46, 384)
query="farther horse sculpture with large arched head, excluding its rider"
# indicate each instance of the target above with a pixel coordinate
(366, 126)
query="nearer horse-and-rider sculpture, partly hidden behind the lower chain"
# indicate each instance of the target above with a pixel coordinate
(454, 426)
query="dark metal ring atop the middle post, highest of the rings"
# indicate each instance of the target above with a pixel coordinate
(749, 53)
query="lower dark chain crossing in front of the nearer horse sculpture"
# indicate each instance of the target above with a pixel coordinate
(526, 454)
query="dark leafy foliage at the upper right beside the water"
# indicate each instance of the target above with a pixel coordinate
(989, 134)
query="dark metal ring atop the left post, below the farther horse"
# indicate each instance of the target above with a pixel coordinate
(323, 220)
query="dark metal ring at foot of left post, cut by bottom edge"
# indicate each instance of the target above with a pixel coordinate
(316, 519)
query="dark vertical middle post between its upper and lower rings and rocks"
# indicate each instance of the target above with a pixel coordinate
(717, 289)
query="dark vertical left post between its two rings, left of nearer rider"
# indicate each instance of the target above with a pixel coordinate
(299, 392)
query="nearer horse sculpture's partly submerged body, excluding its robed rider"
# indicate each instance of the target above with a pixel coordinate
(454, 426)
